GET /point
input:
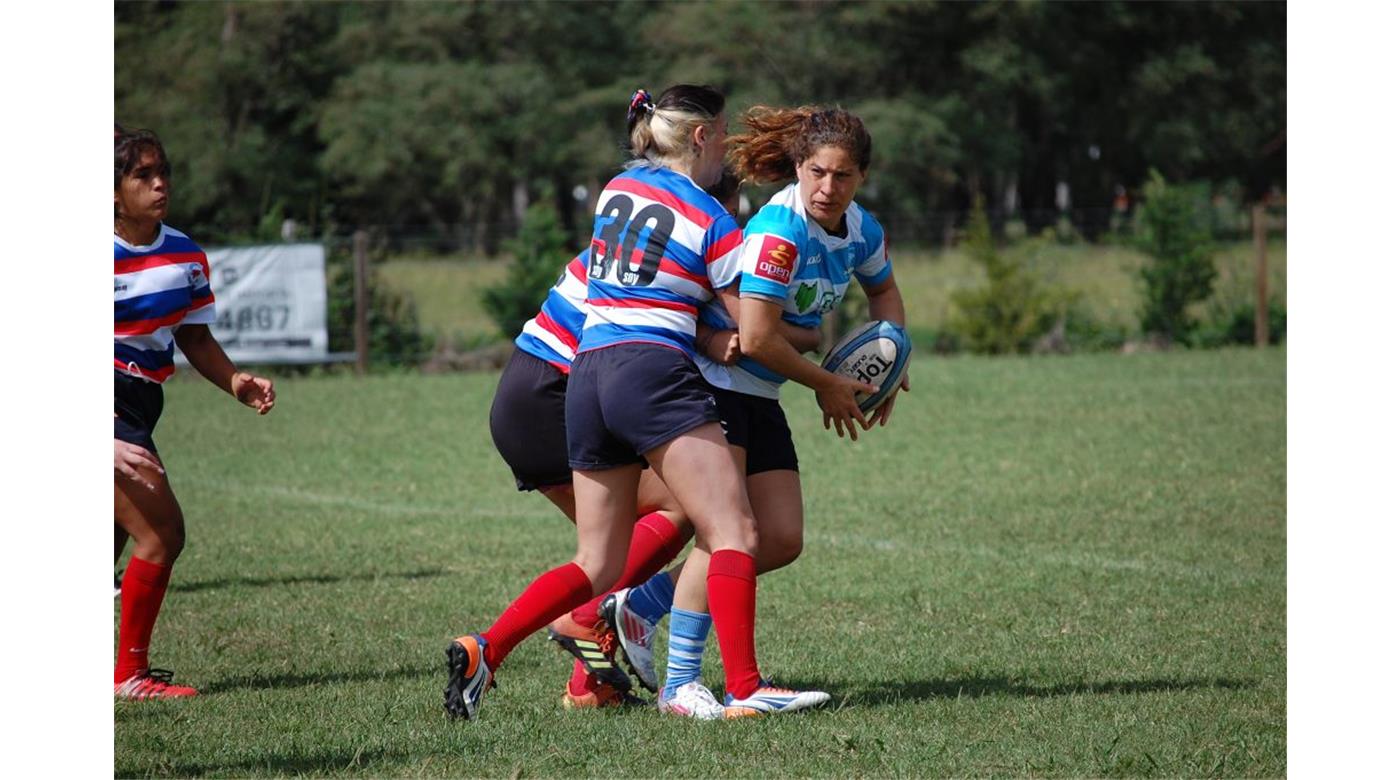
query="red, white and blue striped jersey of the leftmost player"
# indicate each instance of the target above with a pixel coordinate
(157, 289)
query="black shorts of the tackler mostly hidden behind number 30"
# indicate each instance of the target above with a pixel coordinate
(528, 422)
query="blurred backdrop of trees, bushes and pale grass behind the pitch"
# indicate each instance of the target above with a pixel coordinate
(1055, 177)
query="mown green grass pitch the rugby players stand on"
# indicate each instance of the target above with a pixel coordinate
(1048, 568)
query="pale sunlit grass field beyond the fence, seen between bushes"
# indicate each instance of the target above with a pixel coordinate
(449, 291)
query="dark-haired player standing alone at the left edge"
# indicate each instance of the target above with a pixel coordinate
(162, 299)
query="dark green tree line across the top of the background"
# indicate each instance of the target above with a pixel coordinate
(450, 120)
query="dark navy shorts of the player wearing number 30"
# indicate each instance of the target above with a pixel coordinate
(631, 398)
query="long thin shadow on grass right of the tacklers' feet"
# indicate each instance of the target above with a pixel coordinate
(978, 687)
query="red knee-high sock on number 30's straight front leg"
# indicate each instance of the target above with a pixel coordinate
(733, 587)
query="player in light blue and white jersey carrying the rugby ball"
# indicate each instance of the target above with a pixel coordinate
(800, 254)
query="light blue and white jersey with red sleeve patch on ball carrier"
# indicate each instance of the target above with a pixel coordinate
(789, 258)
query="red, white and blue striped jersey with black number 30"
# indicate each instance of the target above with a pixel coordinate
(661, 249)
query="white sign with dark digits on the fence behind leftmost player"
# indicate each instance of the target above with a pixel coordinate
(271, 303)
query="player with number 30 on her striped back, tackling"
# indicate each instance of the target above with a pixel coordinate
(660, 250)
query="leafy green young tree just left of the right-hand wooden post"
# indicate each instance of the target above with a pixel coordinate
(1175, 233)
